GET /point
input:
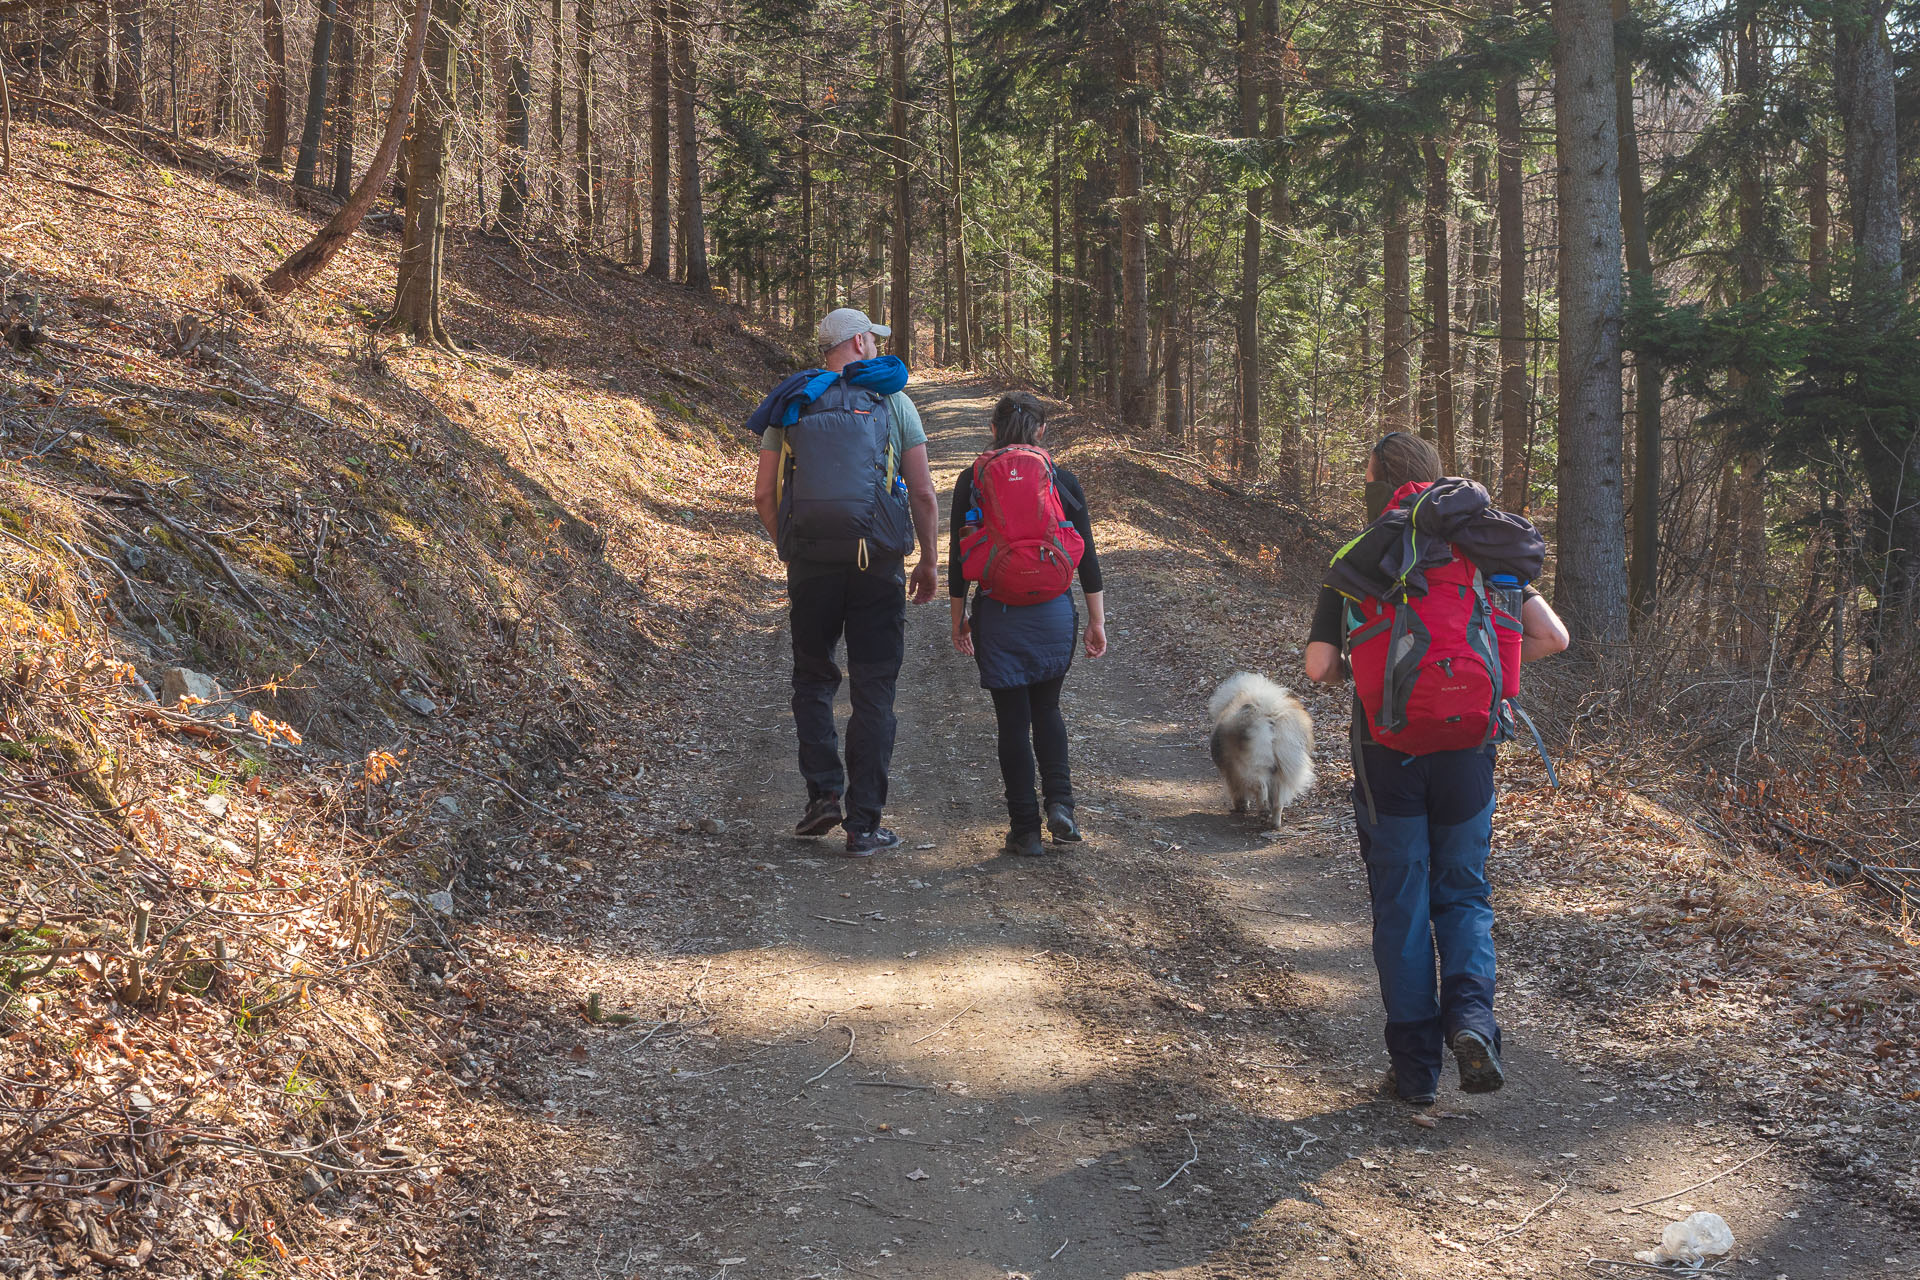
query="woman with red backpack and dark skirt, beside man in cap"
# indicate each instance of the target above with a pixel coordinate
(1020, 531)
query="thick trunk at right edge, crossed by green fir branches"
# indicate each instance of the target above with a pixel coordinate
(1863, 89)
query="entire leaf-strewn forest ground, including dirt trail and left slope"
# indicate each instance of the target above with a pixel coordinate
(531, 573)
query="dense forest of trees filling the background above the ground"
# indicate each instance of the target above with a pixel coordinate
(1643, 270)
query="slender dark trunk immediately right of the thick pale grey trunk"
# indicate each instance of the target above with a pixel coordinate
(1643, 579)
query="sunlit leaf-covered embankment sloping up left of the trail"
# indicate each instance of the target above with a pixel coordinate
(406, 584)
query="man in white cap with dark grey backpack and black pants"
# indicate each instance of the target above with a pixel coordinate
(853, 588)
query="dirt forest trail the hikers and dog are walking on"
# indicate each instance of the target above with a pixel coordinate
(1151, 1056)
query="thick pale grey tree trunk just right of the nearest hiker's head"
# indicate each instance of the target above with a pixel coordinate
(1591, 586)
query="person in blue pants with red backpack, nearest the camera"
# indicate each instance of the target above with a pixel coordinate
(1433, 613)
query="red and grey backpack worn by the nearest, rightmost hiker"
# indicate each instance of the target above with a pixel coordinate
(1435, 671)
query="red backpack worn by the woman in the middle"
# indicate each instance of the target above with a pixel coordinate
(1020, 546)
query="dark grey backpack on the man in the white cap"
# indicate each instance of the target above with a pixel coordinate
(842, 496)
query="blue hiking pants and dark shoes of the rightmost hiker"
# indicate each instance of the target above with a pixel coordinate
(1426, 851)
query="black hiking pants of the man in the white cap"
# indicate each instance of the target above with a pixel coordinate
(869, 607)
